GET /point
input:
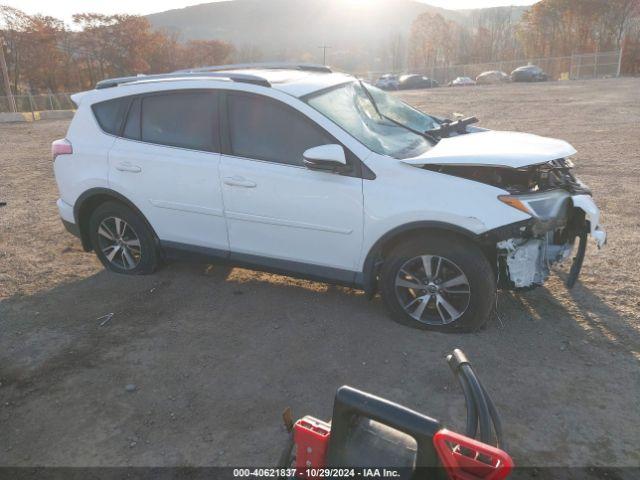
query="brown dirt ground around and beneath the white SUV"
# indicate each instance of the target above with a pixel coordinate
(215, 354)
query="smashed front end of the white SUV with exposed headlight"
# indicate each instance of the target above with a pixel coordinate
(562, 215)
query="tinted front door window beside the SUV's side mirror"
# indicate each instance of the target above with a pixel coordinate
(264, 129)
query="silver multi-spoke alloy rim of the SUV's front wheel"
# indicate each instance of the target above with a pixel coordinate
(432, 289)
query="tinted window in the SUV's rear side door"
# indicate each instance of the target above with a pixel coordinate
(180, 119)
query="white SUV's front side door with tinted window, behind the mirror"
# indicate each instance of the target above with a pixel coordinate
(279, 212)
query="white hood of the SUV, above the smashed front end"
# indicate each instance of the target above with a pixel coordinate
(494, 148)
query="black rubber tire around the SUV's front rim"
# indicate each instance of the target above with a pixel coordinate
(456, 252)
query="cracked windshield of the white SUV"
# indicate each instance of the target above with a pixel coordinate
(351, 108)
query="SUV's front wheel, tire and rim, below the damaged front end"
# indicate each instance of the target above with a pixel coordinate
(438, 282)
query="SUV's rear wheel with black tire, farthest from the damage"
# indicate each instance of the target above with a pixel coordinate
(145, 258)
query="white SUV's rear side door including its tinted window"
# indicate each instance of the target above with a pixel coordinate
(167, 162)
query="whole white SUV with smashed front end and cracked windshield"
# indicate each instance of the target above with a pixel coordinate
(299, 170)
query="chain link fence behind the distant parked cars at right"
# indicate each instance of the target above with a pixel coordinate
(583, 66)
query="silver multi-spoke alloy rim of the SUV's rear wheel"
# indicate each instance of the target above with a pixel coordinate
(119, 243)
